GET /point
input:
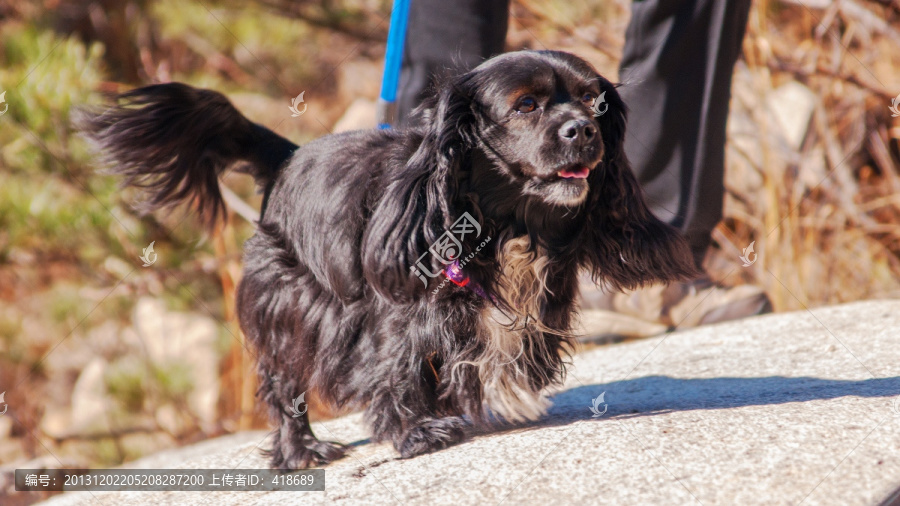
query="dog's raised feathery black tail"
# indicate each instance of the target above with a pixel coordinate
(174, 141)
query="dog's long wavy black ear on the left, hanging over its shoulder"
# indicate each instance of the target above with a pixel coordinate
(417, 206)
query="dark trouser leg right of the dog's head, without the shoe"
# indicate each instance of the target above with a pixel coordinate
(676, 68)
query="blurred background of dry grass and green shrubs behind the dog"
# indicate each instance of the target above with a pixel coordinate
(104, 360)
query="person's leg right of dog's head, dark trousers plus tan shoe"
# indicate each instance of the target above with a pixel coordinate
(676, 72)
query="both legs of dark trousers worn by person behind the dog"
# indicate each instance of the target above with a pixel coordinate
(676, 68)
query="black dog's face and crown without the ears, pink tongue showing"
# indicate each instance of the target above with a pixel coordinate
(535, 121)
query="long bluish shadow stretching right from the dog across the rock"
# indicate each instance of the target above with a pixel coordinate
(655, 395)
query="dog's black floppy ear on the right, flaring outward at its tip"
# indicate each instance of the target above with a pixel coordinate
(626, 245)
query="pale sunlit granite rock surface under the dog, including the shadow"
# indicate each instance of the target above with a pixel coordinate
(781, 409)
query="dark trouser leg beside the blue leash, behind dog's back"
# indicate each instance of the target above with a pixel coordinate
(443, 34)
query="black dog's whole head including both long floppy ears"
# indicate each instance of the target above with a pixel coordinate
(529, 132)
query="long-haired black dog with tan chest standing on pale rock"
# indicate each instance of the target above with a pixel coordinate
(514, 184)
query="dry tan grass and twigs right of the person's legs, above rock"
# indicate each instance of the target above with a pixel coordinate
(823, 206)
